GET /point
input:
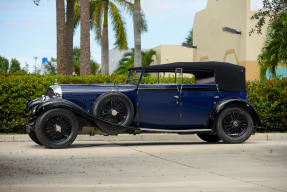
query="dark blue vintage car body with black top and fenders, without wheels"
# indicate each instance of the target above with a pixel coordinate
(169, 107)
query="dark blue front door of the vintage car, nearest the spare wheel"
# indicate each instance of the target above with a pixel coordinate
(158, 106)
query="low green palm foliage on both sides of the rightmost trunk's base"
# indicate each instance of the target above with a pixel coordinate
(128, 60)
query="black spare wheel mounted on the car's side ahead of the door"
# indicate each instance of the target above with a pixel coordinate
(116, 108)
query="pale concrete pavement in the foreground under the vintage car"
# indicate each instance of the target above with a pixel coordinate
(145, 166)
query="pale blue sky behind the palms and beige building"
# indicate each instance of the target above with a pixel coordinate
(28, 31)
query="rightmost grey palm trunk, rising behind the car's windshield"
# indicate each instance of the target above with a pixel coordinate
(139, 27)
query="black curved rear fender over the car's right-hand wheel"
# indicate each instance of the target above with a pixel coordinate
(218, 108)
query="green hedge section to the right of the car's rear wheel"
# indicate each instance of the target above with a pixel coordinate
(270, 101)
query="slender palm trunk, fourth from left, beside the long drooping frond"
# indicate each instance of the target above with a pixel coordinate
(105, 42)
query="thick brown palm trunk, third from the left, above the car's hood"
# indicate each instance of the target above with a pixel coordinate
(85, 67)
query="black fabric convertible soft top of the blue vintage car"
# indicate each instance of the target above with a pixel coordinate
(229, 77)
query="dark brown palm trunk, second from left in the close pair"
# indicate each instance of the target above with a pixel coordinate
(69, 34)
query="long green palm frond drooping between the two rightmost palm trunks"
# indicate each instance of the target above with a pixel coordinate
(118, 26)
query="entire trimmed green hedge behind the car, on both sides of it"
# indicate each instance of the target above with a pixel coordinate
(269, 98)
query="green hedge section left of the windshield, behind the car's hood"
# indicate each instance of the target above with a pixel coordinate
(17, 90)
